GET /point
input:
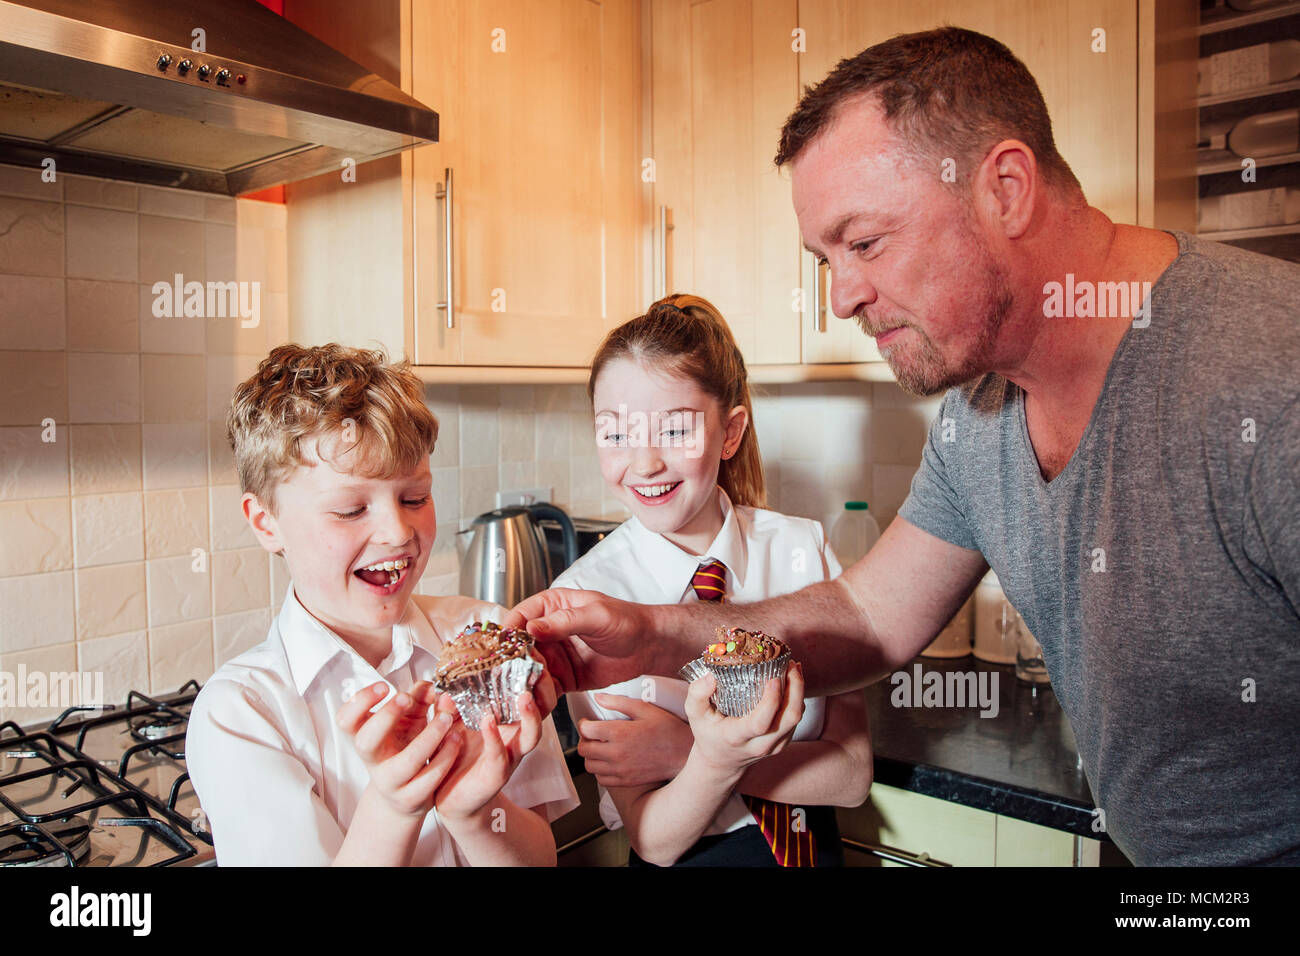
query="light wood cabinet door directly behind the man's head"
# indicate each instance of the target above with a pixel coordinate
(1091, 94)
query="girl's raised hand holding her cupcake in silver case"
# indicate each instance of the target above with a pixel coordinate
(731, 745)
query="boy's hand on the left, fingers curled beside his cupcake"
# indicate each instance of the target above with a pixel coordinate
(408, 755)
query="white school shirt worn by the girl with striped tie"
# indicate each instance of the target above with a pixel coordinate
(766, 555)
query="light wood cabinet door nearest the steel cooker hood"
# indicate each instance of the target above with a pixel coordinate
(539, 111)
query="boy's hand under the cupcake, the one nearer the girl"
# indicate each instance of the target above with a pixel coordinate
(487, 760)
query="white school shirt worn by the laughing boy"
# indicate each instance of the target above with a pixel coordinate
(280, 782)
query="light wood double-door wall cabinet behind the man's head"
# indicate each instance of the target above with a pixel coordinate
(717, 128)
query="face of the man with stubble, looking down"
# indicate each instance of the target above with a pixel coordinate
(908, 259)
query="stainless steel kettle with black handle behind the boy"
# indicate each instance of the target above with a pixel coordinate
(506, 559)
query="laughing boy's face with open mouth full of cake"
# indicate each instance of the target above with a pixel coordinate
(333, 525)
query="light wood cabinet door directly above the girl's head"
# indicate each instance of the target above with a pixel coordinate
(725, 79)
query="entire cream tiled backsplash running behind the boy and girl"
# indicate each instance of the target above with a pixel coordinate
(123, 548)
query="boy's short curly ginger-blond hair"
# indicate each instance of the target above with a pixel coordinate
(375, 408)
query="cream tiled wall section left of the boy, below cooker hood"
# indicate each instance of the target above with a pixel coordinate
(123, 550)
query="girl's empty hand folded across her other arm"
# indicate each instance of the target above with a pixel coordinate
(649, 749)
